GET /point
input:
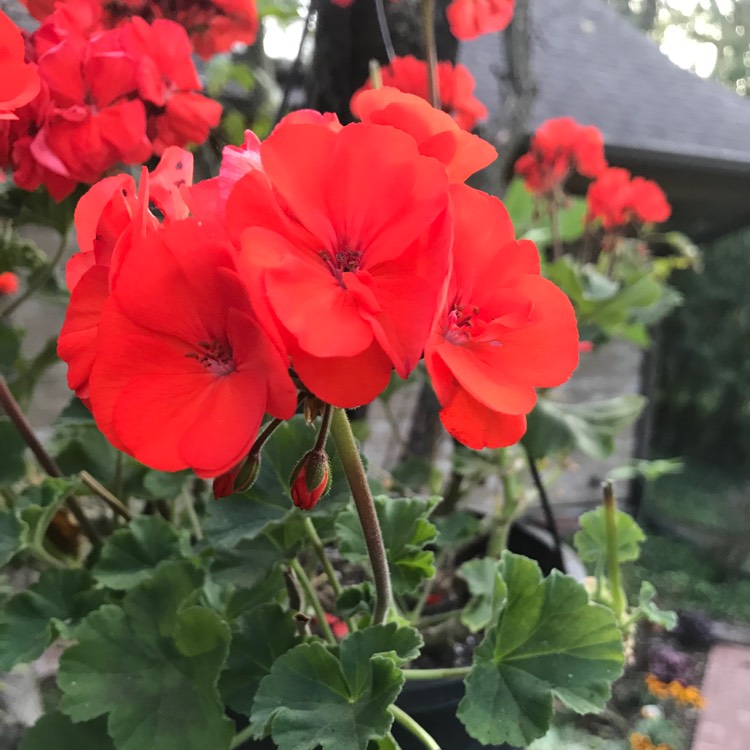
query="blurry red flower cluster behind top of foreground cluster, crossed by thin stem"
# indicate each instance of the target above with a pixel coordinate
(456, 86)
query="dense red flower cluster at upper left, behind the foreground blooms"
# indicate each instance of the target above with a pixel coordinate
(108, 96)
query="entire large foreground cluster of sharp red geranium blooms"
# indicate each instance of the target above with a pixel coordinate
(321, 259)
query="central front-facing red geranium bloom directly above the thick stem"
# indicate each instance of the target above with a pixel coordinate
(346, 251)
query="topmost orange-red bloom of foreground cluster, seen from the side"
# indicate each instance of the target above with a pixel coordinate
(437, 134)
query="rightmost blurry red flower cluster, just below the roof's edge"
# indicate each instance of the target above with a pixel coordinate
(616, 199)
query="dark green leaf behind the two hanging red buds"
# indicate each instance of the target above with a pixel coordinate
(268, 502)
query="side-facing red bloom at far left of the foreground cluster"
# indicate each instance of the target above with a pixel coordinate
(109, 218)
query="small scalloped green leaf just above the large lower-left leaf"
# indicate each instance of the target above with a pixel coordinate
(130, 554)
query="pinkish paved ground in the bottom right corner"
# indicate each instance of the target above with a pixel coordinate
(724, 723)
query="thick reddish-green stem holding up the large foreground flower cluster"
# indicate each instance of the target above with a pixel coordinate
(346, 446)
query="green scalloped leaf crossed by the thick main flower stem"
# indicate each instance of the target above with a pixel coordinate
(406, 531)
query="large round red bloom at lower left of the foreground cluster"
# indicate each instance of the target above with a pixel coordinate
(184, 371)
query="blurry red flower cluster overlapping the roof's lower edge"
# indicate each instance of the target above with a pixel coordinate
(559, 147)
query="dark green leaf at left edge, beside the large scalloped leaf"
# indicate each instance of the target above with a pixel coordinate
(31, 619)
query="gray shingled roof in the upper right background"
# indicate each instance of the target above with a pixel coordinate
(593, 65)
